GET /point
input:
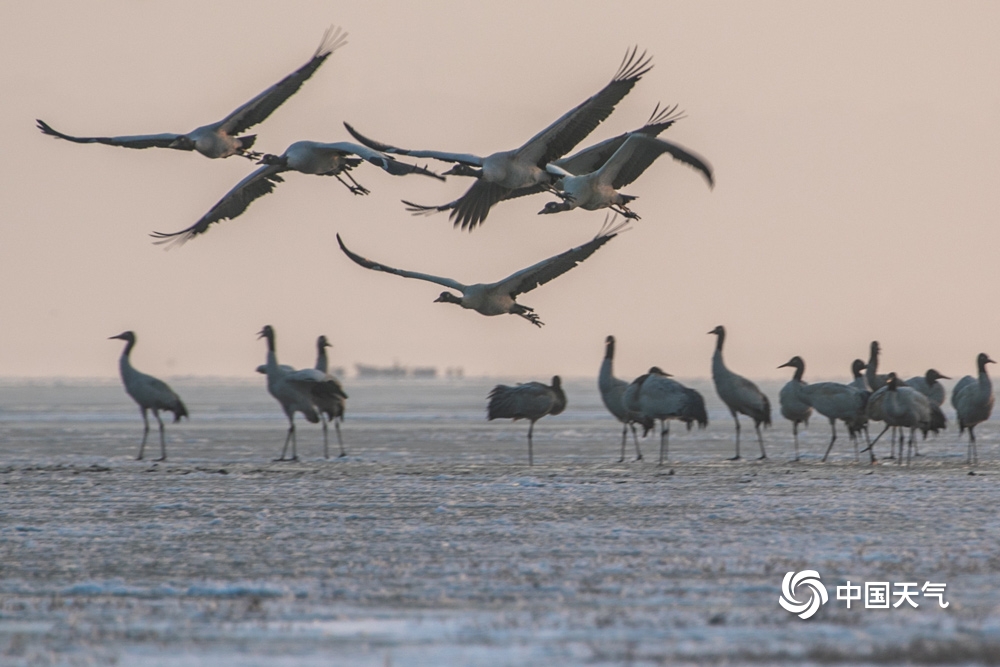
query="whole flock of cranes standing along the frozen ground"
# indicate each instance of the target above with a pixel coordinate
(654, 396)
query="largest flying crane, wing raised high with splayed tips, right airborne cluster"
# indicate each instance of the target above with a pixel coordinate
(498, 174)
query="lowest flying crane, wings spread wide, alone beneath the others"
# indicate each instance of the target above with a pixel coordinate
(499, 298)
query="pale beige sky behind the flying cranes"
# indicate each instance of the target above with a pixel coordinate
(856, 148)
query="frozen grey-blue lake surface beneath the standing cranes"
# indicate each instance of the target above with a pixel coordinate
(434, 543)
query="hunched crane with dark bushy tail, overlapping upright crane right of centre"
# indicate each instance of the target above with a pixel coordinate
(656, 396)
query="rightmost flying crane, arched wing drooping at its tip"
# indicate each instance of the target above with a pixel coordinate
(598, 189)
